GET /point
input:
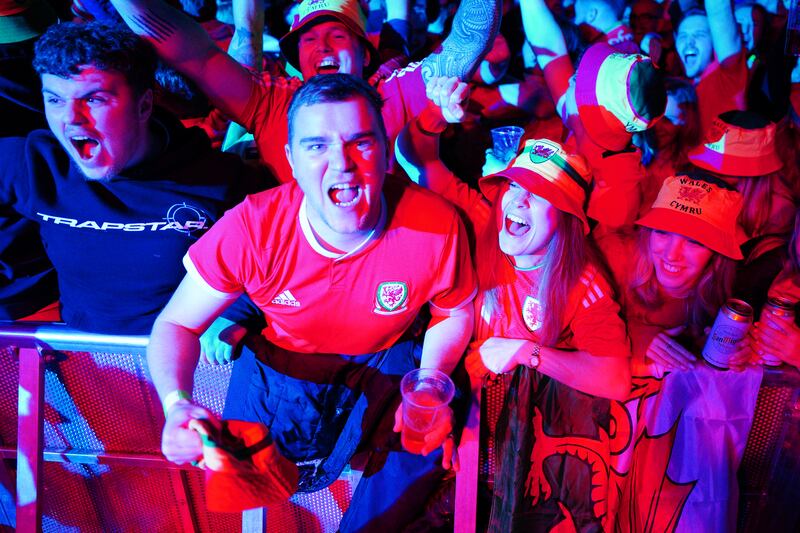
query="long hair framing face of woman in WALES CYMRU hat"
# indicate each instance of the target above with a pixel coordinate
(712, 288)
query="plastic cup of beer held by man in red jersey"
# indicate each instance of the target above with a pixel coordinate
(426, 395)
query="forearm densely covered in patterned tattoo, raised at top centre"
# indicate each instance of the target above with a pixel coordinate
(474, 28)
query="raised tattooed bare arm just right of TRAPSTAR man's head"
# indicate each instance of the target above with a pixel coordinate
(184, 44)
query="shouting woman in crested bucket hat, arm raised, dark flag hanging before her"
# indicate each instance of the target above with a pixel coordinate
(544, 314)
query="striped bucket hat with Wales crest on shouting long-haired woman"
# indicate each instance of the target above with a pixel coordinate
(545, 169)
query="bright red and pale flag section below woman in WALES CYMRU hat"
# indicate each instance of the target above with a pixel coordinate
(688, 434)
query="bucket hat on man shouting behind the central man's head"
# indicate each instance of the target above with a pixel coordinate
(311, 12)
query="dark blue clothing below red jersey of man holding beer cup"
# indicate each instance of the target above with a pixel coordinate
(323, 408)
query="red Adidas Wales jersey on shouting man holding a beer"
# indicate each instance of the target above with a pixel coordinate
(316, 301)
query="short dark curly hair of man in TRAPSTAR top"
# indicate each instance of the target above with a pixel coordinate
(66, 48)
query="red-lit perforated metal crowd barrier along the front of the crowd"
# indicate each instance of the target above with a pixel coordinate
(80, 426)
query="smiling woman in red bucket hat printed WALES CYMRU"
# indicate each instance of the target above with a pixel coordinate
(676, 270)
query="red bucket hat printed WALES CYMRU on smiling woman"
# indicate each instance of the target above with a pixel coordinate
(699, 210)
